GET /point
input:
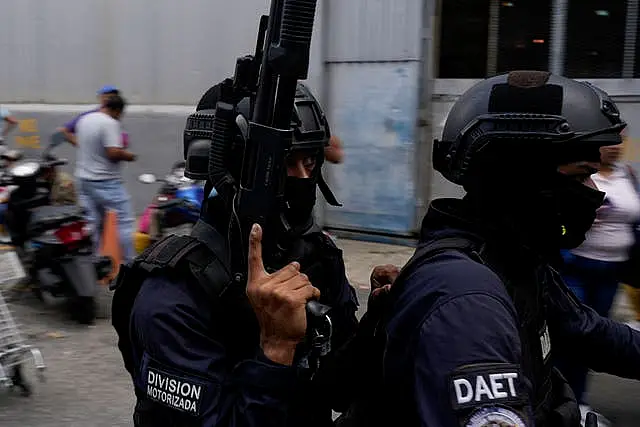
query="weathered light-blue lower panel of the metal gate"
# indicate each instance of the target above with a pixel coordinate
(373, 109)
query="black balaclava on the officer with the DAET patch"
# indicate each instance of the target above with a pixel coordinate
(545, 211)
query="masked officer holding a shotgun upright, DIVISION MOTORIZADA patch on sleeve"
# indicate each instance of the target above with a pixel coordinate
(203, 354)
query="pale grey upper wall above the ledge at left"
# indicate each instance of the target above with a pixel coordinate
(157, 51)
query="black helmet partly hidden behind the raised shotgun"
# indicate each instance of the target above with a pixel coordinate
(308, 121)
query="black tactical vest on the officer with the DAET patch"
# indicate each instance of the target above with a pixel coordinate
(385, 403)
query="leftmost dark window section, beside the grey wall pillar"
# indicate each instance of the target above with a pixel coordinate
(463, 39)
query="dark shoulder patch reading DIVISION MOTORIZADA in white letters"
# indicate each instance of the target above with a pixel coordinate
(173, 388)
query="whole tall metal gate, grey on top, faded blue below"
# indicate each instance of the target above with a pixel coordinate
(372, 66)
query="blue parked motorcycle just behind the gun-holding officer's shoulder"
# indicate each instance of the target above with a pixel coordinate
(174, 209)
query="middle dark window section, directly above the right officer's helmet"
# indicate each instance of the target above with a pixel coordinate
(523, 35)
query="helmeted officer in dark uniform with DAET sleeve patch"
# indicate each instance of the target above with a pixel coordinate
(478, 315)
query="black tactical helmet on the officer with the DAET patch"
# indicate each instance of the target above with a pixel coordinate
(525, 116)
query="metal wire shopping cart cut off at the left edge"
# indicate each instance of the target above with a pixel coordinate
(14, 350)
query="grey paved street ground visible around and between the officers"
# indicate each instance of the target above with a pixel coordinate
(86, 384)
